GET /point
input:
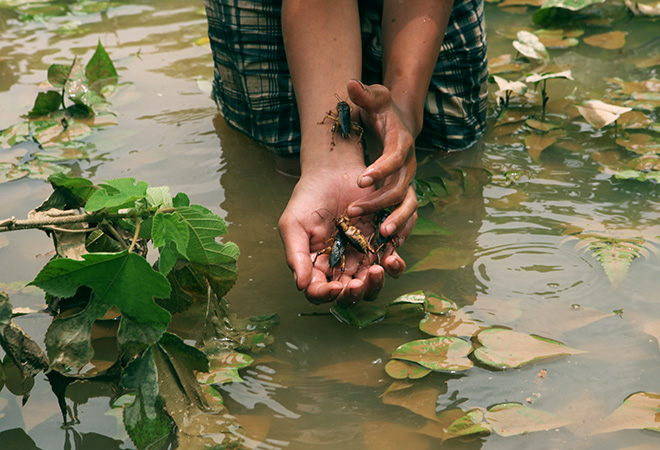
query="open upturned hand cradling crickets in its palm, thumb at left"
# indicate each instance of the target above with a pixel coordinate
(306, 227)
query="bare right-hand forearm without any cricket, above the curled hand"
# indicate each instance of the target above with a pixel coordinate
(412, 35)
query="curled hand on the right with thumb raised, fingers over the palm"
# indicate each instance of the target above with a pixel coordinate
(396, 131)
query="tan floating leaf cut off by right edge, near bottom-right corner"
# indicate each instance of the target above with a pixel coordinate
(638, 412)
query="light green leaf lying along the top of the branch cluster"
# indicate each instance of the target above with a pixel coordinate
(116, 194)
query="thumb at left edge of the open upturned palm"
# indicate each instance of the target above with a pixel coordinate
(296, 248)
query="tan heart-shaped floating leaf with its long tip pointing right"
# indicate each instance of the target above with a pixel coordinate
(505, 348)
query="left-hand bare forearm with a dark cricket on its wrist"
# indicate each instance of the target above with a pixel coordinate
(323, 47)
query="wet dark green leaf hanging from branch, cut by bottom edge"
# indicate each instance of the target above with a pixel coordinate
(144, 419)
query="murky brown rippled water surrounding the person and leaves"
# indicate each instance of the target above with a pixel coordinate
(322, 383)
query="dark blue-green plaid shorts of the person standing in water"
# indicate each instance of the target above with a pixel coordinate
(254, 93)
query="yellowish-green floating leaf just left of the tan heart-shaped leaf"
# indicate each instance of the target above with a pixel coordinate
(440, 354)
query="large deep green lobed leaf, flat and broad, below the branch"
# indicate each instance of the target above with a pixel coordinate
(124, 280)
